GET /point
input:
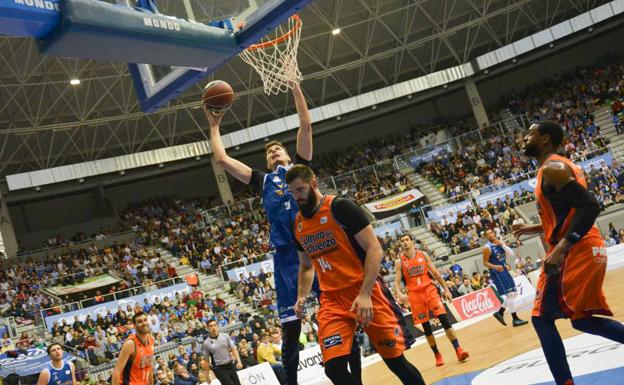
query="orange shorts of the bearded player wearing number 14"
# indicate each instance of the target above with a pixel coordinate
(337, 323)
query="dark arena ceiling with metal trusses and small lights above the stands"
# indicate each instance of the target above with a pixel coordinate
(46, 122)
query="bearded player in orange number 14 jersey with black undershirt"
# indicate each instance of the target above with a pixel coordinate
(335, 239)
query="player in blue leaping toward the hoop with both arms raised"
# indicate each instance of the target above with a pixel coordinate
(281, 209)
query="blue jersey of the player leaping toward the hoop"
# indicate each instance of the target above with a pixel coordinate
(280, 207)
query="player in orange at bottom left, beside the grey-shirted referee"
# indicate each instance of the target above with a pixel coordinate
(134, 365)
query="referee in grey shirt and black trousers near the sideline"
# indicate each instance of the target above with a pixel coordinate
(219, 349)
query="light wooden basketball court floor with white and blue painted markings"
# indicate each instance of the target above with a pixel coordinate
(512, 356)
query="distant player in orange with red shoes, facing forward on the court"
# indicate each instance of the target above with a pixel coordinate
(414, 268)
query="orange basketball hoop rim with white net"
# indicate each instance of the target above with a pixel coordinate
(275, 60)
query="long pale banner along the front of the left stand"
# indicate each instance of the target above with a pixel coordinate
(112, 306)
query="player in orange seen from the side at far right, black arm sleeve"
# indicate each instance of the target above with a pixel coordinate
(570, 283)
